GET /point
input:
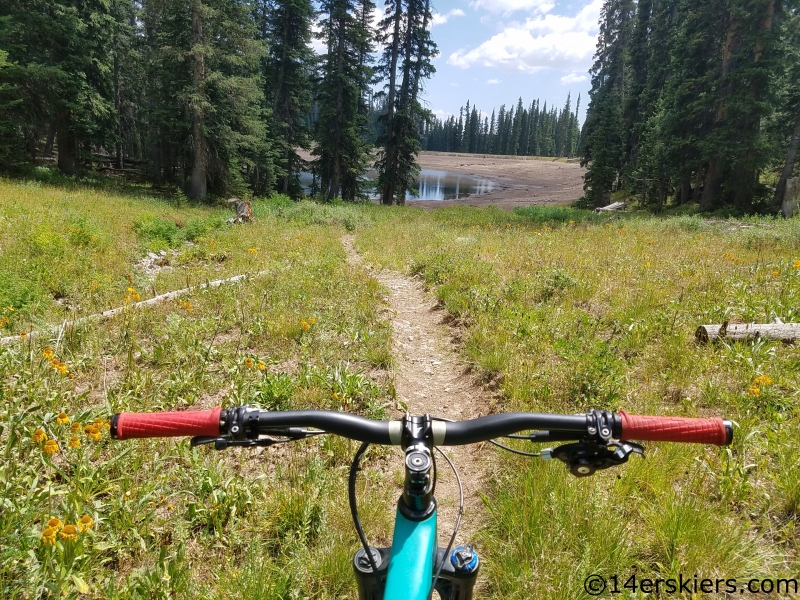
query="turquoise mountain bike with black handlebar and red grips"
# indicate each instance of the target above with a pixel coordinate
(415, 566)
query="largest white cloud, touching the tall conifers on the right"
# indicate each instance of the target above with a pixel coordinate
(546, 42)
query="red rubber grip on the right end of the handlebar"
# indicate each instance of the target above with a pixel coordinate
(674, 429)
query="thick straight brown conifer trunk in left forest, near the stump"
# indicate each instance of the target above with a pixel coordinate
(198, 185)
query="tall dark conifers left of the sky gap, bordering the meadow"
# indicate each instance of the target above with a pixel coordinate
(215, 97)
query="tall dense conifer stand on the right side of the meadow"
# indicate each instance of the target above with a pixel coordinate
(694, 102)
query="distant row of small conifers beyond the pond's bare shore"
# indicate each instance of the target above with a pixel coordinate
(520, 131)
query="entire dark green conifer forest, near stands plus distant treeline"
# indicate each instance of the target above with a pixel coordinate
(690, 101)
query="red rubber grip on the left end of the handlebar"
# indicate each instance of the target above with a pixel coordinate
(166, 424)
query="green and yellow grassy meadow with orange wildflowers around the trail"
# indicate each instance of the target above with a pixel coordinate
(557, 310)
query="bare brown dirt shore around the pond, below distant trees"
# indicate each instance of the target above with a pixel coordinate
(522, 180)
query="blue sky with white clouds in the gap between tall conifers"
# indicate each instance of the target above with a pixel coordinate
(494, 51)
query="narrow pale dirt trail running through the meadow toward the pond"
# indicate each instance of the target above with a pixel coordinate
(430, 378)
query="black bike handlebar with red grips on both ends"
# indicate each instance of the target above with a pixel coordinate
(248, 423)
